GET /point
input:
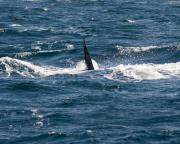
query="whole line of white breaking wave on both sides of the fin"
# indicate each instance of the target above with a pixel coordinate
(148, 71)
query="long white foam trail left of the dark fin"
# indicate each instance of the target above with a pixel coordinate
(28, 69)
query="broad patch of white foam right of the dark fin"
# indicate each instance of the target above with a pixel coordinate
(145, 71)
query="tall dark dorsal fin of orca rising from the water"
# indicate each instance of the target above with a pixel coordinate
(87, 57)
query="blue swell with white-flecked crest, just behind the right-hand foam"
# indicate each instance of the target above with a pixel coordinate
(149, 54)
